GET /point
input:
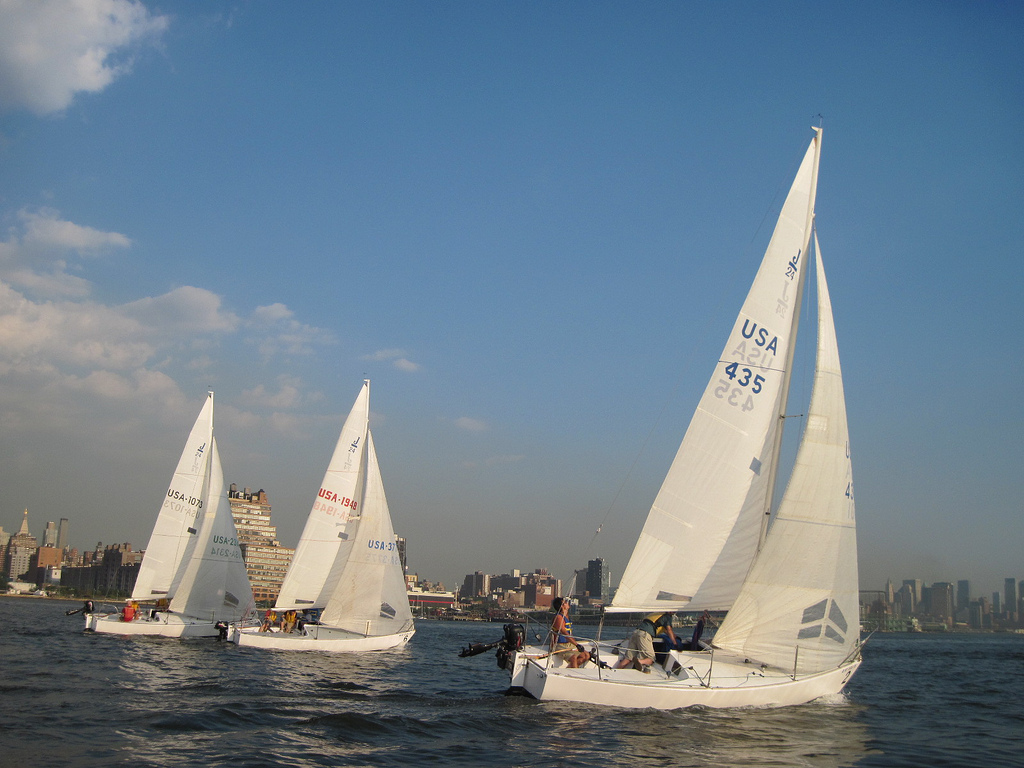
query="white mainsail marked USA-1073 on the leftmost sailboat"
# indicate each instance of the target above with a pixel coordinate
(174, 535)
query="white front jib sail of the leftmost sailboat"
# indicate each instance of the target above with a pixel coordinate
(216, 586)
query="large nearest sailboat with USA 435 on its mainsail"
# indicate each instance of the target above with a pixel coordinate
(712, 541)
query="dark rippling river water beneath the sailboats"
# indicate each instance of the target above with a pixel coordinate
(71, 699)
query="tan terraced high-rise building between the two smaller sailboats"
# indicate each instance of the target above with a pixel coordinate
(267, 561)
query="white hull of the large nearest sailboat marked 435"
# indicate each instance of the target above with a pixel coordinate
(734, 684)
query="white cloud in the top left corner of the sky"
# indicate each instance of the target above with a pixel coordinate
(53, 50)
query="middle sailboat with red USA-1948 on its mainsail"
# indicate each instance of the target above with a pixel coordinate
(347, 577)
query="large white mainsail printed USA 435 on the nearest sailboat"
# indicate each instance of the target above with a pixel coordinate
(704, 529)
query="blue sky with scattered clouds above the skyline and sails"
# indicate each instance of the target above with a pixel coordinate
(530, 226)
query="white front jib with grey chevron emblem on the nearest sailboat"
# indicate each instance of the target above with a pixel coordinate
(802, 590)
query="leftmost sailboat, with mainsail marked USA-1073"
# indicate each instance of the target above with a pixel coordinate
(193, 567)
